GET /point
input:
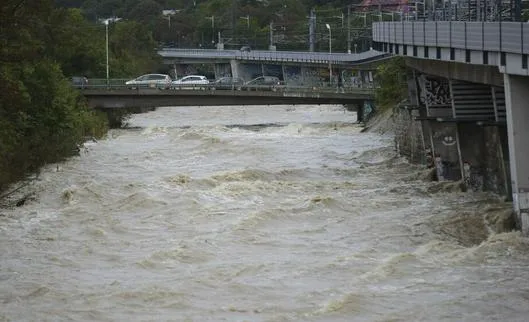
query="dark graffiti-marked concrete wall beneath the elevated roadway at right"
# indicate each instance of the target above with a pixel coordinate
(471, 150)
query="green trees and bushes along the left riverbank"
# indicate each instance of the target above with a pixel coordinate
(43, 118)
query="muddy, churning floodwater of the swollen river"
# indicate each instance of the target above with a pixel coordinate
(255, 214)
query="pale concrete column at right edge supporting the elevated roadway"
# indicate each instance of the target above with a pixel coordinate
(517, 104)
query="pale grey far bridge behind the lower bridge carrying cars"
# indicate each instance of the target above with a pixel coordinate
(305, 69)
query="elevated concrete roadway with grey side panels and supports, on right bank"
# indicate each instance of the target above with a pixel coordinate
(469, 87)
